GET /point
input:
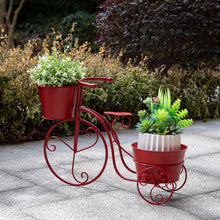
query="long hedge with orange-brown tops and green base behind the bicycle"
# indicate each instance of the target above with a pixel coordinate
(21, 116)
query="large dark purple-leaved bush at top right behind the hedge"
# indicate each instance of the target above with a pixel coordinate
(168, 32)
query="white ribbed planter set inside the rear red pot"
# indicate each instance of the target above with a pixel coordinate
(154, 142)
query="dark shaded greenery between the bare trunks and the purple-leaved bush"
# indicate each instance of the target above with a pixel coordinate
(38, 17)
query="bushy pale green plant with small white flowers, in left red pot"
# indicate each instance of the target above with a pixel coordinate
(56, 70)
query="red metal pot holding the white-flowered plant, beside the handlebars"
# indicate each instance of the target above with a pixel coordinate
(58, 103)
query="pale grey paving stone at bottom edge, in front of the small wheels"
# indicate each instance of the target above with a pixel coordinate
(110, 205)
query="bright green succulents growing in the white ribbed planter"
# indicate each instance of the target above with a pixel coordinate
(164, 118)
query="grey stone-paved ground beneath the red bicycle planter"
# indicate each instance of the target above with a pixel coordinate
(29, 190)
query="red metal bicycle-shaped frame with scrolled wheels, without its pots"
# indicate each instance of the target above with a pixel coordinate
(112, 138)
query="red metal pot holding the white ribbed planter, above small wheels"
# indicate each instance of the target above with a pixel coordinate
(169, 161)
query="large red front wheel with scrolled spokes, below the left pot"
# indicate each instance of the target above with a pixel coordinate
(73, 169)
